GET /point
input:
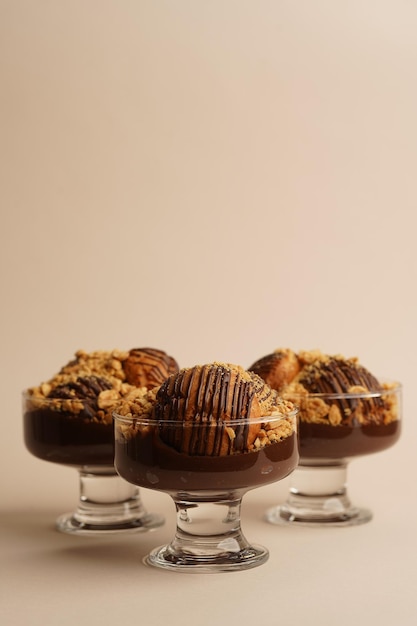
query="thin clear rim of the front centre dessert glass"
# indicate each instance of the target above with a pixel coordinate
(247, 421)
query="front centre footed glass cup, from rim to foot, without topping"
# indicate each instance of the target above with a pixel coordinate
(207, 490)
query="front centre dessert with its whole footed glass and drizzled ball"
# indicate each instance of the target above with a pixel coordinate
(206, 436)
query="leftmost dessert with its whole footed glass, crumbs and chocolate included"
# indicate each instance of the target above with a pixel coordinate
(68, 420)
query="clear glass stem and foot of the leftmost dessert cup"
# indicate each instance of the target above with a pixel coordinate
(107, 503)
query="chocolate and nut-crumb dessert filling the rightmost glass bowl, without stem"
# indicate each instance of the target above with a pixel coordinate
(345, 411)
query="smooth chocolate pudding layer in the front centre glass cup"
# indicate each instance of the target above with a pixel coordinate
(147, 461)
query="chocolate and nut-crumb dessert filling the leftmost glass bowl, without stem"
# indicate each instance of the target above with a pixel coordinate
(68, 419)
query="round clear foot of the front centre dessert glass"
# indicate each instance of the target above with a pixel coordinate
(166, 558)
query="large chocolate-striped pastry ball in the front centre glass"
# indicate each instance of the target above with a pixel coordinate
(206, 400)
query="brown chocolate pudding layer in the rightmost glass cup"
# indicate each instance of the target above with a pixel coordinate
(323, 441)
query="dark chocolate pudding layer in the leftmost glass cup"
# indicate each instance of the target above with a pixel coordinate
(61, 437)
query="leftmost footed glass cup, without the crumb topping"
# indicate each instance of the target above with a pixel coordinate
(107, 503)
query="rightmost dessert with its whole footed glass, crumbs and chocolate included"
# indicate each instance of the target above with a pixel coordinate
(345, 412)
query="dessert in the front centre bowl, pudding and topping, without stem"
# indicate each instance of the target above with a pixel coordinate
(206, 428)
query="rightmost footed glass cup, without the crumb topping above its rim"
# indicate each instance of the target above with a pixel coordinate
(318, 494)
